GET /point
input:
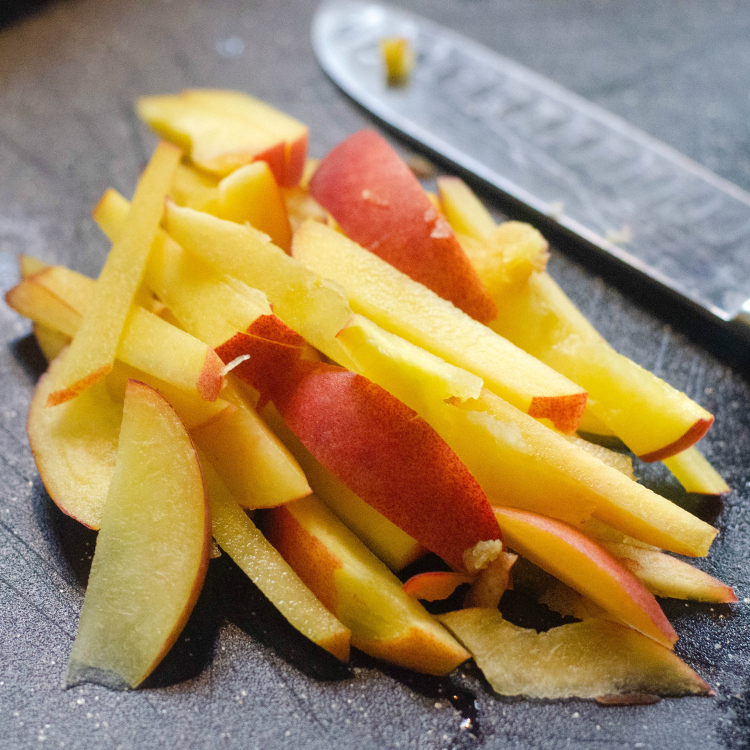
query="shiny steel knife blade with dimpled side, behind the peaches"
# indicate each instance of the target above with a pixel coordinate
(613, 186)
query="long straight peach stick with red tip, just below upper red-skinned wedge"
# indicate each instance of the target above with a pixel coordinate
(404, 307)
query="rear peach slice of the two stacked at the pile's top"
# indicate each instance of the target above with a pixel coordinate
(257, 113)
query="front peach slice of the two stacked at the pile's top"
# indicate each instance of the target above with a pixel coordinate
(216, 143)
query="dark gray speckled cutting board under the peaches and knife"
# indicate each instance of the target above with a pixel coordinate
(239, 677)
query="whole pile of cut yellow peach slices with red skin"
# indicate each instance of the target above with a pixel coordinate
(266, 327)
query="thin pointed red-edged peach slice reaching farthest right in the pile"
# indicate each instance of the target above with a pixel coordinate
(664, 575)
